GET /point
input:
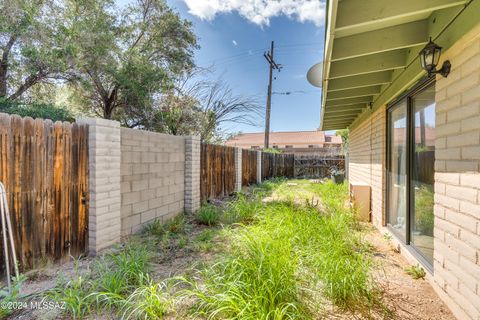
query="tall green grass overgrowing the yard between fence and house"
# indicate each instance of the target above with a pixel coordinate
(282, 260)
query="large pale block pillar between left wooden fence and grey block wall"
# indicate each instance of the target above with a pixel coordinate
(104, 218)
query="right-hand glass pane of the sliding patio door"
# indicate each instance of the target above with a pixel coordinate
(422, 169)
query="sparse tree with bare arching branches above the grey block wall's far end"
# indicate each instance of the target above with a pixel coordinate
(197, 106)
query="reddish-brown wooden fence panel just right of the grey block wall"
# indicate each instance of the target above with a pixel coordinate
(217, 171)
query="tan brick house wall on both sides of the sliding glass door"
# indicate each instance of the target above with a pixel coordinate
(456, 274)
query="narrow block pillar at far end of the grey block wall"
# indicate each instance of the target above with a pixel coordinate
(192, 173)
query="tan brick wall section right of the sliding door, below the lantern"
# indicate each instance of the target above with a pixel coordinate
(457, 179)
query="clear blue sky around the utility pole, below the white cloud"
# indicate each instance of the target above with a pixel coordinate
(234, 45)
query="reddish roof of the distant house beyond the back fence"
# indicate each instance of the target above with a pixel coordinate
(284, 138)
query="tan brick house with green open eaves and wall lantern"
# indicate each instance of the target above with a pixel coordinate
(414, 139)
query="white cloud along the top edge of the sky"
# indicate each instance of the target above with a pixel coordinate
(260, 11)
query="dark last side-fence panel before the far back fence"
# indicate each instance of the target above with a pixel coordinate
(277, 165)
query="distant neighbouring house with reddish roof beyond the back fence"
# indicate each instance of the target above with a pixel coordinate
(297, 142)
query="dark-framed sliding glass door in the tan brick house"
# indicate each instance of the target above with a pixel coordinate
(410, 169)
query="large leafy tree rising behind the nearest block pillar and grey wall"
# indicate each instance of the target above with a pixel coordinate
(127, 57)
